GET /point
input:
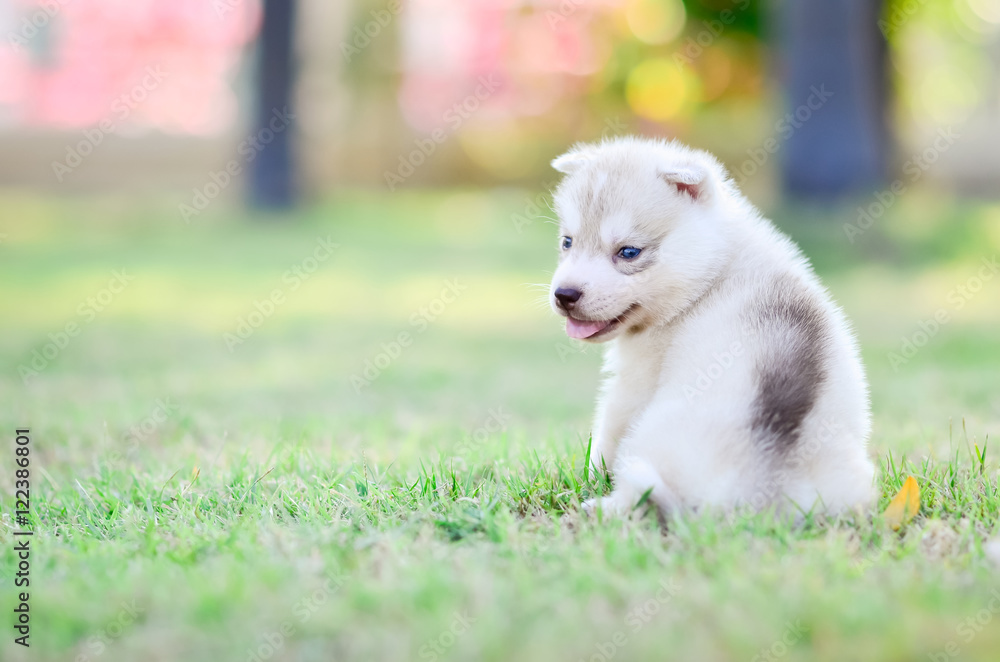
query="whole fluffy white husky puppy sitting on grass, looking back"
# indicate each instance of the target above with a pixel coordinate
(733, 380)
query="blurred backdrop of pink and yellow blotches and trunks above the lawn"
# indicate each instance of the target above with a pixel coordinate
(504, 85)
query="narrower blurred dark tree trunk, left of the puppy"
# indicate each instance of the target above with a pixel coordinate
(273, 176)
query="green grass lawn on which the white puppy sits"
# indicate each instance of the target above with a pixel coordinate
(403, 522)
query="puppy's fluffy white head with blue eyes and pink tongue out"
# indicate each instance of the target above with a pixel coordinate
(640, 235)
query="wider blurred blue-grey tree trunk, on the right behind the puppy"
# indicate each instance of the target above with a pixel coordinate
(834, 47)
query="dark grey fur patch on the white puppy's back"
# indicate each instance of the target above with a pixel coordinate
(790, 374)
